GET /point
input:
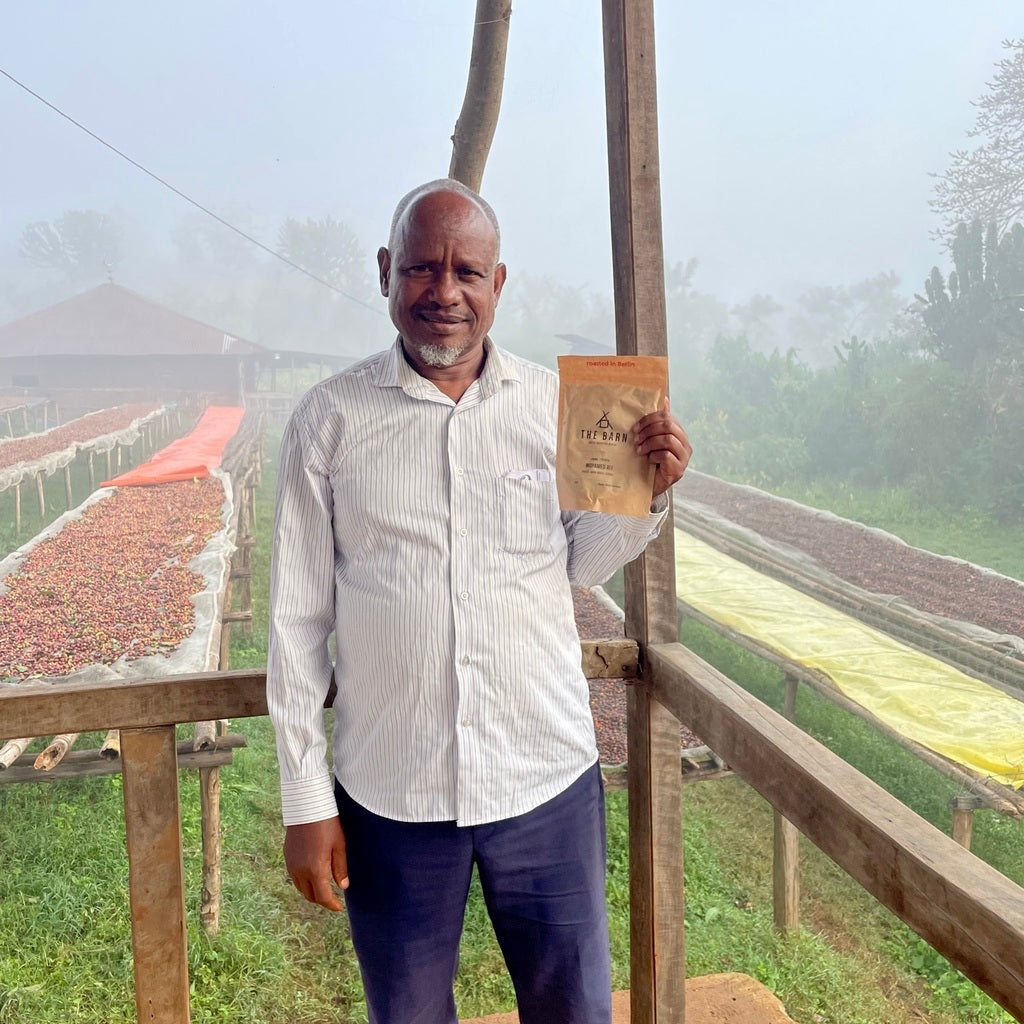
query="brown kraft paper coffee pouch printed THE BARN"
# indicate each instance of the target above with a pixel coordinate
(601, 400)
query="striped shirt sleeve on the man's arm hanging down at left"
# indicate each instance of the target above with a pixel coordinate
(300, 667)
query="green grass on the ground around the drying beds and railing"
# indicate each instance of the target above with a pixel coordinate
(65, 946)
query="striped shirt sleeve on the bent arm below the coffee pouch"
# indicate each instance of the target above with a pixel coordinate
(601, 543)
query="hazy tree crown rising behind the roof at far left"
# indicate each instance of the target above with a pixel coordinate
(84, 245)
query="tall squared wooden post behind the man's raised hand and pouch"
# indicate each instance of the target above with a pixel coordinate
(658, 964)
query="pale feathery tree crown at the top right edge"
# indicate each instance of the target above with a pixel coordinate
(987, 184)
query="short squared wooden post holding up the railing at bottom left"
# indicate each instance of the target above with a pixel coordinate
(156, 875)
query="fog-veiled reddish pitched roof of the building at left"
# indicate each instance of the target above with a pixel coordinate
(113, 321)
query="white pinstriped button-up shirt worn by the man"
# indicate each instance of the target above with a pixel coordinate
(426, 536)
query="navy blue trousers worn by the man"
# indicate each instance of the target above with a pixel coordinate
(543, 880)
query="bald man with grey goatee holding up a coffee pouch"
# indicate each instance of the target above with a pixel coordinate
(418, 522)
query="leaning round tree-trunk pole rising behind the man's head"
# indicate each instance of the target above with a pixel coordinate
(476, 127)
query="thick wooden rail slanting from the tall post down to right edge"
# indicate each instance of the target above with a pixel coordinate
(969, 912)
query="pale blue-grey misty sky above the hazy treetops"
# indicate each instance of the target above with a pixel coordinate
(797, 139)
